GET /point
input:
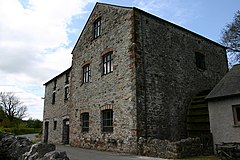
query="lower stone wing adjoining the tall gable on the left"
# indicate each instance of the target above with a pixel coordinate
(56, 111)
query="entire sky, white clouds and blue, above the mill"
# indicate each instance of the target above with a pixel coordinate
(37, 36)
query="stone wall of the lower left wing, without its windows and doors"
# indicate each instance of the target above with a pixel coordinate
(57, 111)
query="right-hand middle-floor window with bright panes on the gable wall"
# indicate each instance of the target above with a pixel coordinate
(107, 63)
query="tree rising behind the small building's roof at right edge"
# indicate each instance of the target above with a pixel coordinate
(231, 39)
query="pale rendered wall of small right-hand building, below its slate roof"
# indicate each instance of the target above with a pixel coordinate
(222, 121)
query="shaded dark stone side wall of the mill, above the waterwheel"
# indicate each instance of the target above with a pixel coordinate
(167, 75)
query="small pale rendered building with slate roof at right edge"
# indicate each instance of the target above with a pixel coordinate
(224, 108)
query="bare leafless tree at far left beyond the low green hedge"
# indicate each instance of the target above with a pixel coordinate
(12, 106)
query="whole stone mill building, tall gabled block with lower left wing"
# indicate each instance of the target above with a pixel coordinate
(133, 77)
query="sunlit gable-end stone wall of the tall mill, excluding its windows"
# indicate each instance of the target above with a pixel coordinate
(115, 90)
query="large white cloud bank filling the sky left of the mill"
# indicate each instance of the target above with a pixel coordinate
(35, 44)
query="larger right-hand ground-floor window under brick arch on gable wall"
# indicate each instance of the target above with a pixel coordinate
(107, 120)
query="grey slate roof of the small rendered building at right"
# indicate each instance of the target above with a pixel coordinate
(228, 86)
